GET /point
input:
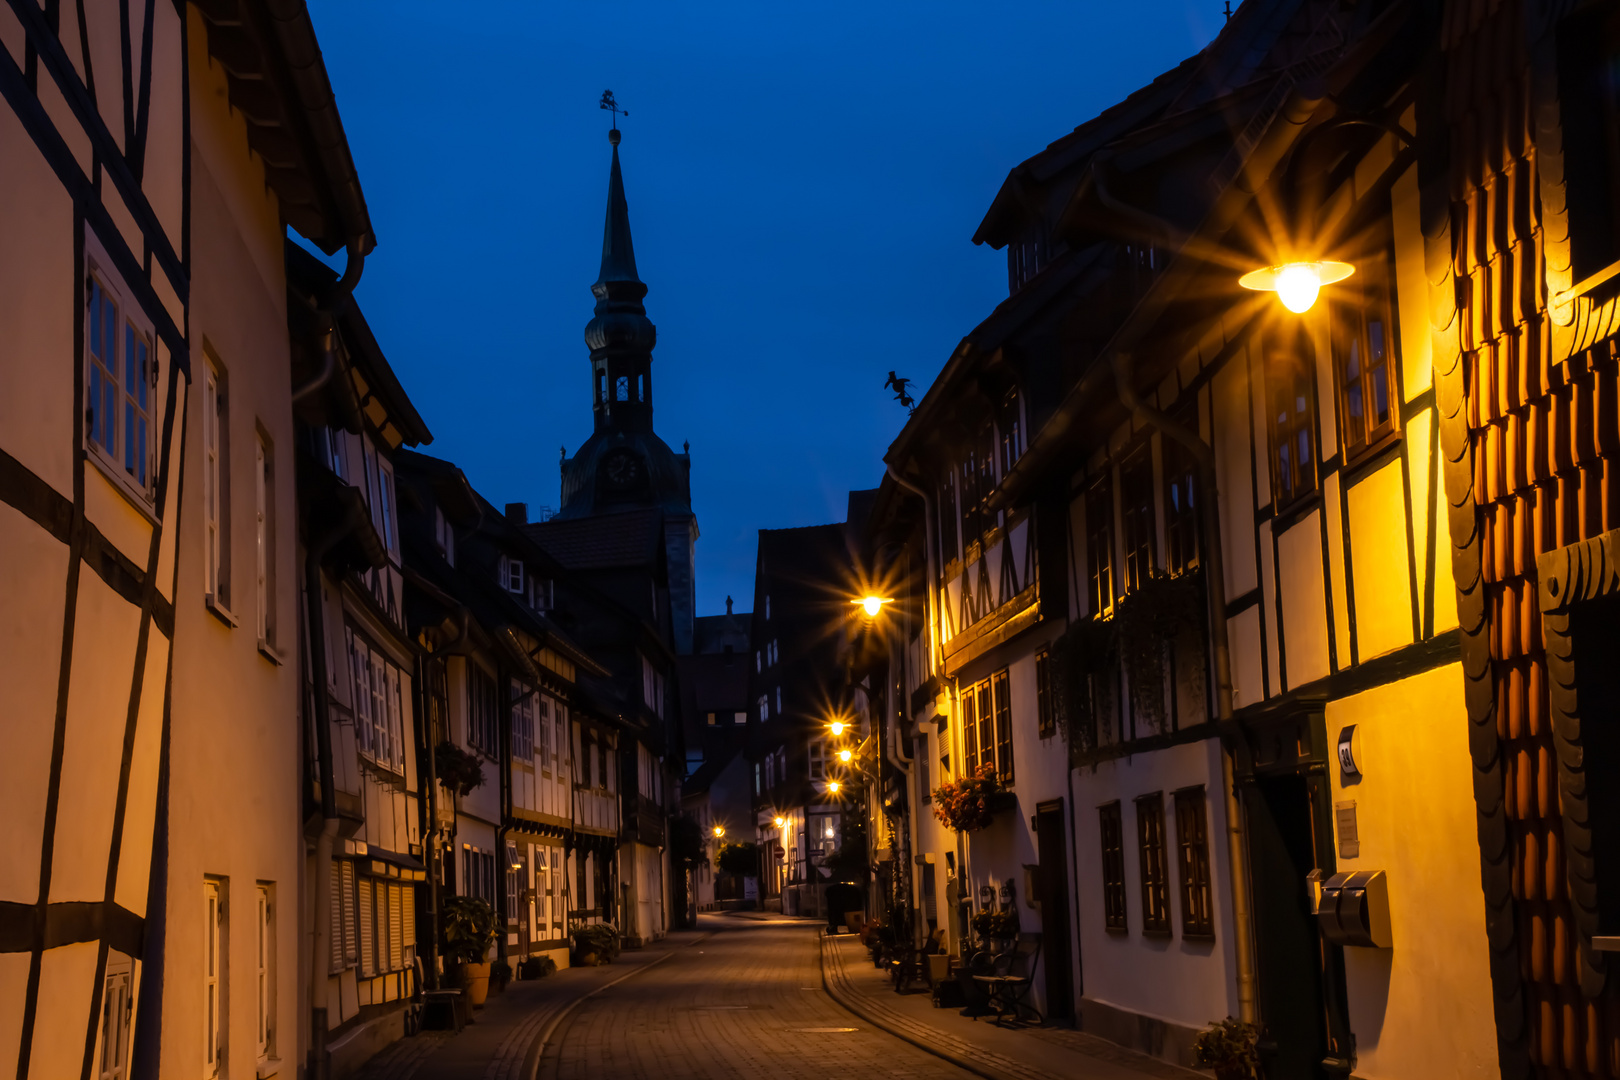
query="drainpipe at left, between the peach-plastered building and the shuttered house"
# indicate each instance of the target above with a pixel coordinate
(325, 843)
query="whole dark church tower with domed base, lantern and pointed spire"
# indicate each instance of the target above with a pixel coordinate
(625, 467)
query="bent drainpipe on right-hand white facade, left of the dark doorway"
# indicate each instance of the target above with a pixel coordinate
(1216, 593)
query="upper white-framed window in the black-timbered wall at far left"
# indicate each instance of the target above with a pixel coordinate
(121, 381)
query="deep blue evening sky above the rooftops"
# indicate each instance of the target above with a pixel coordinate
(804, 185)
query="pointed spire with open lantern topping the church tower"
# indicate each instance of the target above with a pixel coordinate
(621, 336)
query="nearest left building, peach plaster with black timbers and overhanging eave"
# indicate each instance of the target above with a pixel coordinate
(151, 159)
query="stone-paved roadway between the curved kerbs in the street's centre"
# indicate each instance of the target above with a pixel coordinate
(746, 1001)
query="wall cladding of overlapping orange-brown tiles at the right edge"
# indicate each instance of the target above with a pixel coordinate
(1532, 436)
